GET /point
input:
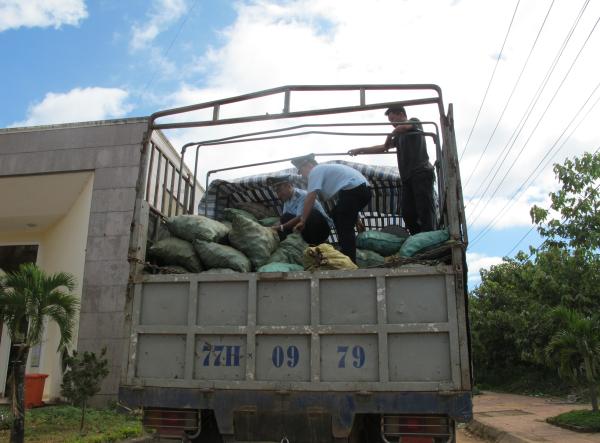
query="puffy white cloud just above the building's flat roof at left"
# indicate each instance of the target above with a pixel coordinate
(79, 104)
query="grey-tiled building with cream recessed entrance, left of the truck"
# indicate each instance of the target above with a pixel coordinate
(67, 194)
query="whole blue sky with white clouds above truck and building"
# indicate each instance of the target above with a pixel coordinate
(78, 60)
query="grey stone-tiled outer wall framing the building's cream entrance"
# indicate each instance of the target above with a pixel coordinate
(111, 150)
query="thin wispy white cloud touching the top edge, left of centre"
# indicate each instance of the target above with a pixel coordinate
(163, 13)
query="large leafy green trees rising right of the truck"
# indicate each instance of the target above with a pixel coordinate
(511, 311)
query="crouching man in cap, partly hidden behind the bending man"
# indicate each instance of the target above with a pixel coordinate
(317, 226)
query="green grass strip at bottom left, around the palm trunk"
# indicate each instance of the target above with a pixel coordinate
(60, 423)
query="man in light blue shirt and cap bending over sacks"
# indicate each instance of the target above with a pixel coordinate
(352, 190)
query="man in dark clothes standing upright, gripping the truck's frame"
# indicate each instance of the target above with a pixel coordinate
(415, 169)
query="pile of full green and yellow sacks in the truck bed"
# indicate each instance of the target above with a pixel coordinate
(245, 243)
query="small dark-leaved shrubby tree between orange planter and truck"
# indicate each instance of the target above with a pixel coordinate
(83, 377)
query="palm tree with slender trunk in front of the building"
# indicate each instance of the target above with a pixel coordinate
(27, 296)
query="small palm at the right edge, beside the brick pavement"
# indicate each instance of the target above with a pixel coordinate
(576, 350)
